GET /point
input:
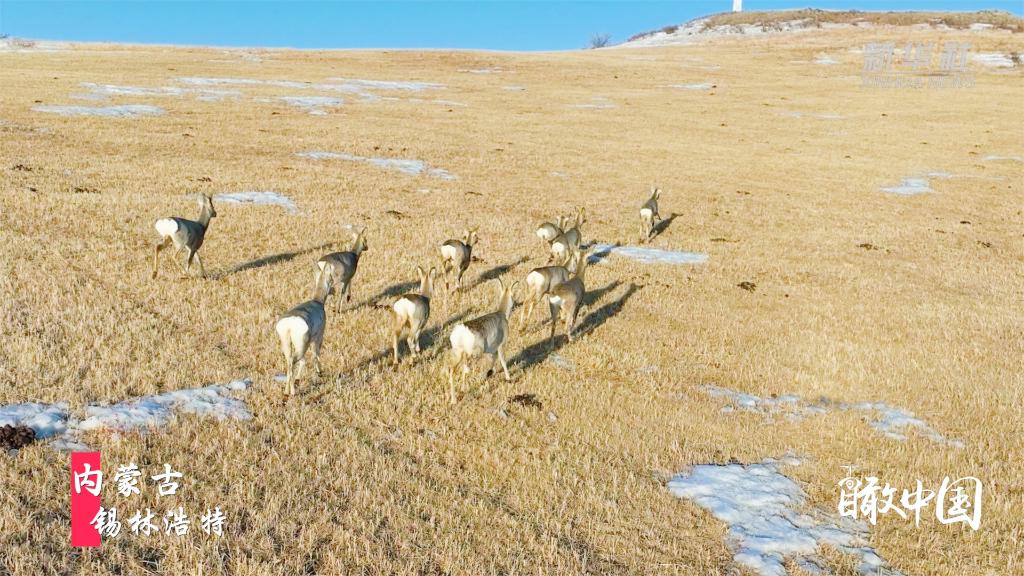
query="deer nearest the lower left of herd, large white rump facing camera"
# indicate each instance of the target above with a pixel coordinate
(302, 328)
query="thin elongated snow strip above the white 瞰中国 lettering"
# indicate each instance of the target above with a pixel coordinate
(889, 421)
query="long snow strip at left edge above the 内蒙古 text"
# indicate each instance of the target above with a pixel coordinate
(55, 421)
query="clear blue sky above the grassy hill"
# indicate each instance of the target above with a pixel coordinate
(490, 25)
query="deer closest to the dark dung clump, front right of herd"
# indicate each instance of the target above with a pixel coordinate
(486, 335)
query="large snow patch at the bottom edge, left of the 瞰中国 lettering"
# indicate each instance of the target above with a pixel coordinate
(770, 520)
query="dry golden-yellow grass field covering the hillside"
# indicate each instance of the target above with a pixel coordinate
(776, 173)
